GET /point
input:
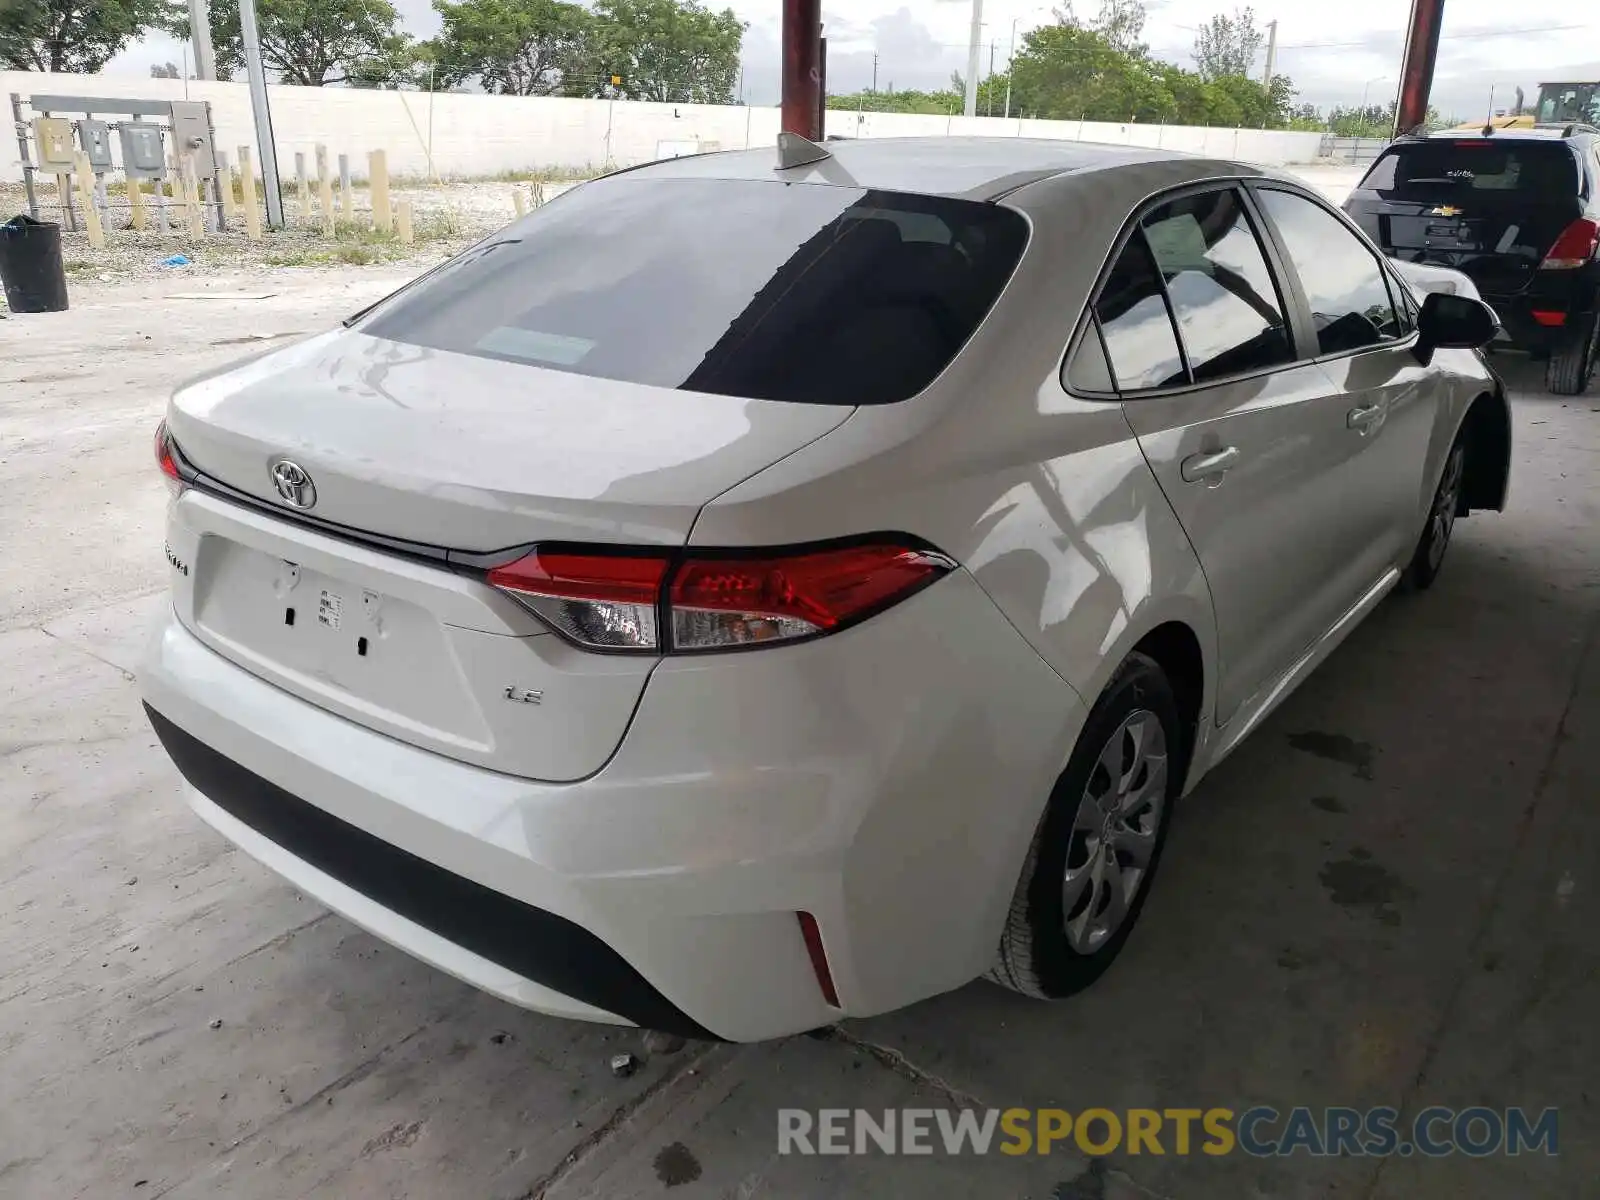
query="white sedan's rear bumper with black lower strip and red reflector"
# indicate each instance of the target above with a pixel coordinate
(886, 782)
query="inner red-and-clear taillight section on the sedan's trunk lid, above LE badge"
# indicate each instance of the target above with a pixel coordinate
(598, 601)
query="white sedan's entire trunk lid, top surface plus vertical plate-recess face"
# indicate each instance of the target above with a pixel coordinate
(428, 452)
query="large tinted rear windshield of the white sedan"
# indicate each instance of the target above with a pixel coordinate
(764, 290)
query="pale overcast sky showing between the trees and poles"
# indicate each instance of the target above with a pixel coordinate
(1332, 62)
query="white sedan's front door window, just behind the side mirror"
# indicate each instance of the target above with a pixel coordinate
(1345, 286)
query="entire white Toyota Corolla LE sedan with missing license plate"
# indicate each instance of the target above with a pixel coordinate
(761, 590)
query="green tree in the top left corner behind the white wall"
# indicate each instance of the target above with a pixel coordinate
(74, 36)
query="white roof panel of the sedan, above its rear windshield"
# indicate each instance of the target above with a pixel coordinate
(977, 169)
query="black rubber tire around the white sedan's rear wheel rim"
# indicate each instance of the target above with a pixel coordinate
(1038, 954)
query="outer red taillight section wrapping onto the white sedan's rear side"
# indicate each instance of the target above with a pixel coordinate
(729, 602)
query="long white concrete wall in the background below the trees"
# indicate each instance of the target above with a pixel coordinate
(476, 135)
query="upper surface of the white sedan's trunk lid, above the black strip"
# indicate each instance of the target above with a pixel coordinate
(473, 454)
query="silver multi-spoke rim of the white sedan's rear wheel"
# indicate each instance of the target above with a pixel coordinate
(1114, 833)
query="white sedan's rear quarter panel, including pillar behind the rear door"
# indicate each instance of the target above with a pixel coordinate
(1046, 498)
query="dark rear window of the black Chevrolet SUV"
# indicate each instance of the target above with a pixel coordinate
(1474, 166)
